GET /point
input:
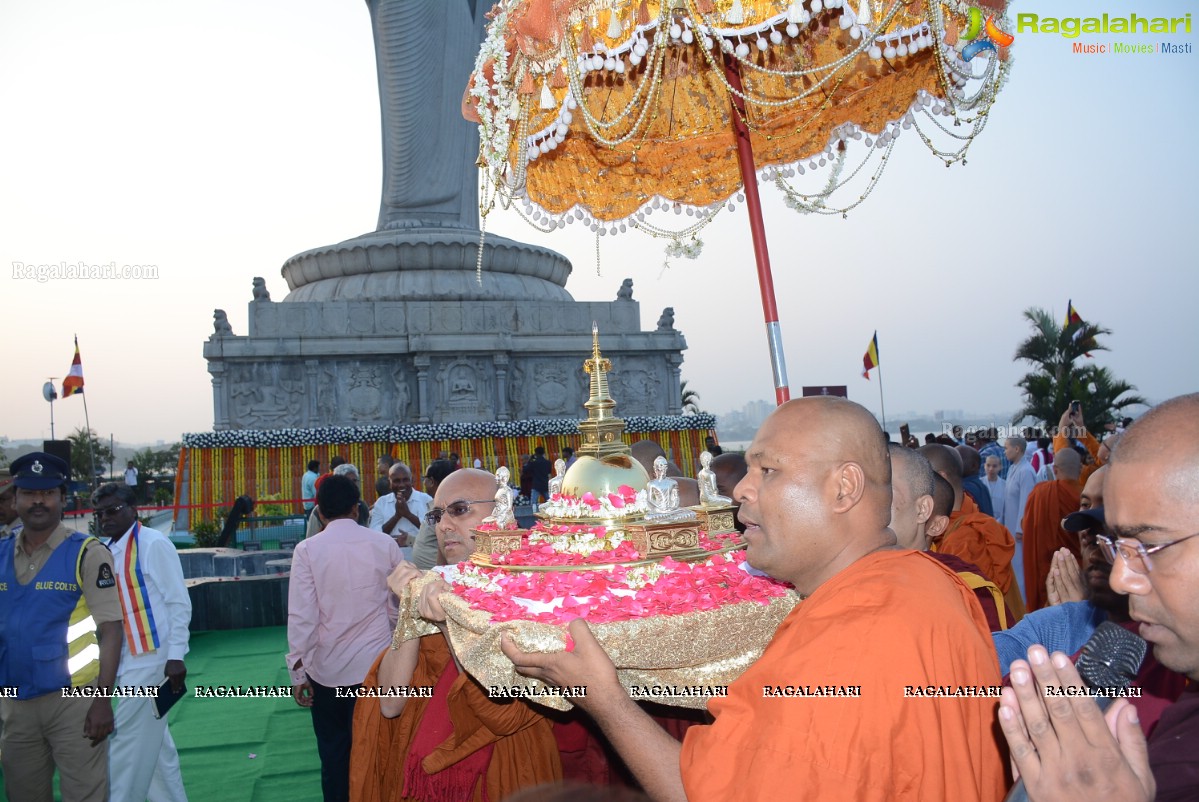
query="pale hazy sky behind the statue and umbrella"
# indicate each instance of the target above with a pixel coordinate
(215, 141)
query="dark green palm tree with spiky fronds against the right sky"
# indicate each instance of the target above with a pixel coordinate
(1062, 375)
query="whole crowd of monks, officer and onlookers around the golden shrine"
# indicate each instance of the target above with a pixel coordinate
(939, 678)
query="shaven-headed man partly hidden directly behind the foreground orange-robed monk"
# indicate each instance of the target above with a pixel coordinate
(914, 501)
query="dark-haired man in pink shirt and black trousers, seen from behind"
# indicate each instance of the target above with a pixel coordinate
(341, 616)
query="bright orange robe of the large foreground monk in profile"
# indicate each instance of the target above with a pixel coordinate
(891, 622)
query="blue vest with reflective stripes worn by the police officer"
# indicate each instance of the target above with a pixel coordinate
(47, 635)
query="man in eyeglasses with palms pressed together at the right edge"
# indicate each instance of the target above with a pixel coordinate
(1152, 506)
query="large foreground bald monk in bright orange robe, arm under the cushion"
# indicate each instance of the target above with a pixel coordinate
(816, 504)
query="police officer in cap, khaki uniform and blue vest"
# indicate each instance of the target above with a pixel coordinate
(61, 638)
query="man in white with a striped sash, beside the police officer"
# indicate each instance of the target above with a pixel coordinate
(143, 763)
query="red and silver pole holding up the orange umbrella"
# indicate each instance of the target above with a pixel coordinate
(758, 232)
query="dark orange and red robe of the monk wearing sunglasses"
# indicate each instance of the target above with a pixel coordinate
(519, 739)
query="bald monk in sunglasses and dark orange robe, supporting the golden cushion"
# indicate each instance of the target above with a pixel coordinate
(460, 745)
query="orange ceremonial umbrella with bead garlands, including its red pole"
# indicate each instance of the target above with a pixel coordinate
(610, 112)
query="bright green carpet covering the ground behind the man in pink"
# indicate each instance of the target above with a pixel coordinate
(243, 750)
